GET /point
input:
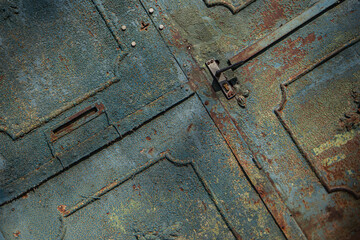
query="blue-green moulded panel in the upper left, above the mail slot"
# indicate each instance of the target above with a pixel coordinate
(45, 67)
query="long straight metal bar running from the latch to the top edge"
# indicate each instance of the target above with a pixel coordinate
(265, 42)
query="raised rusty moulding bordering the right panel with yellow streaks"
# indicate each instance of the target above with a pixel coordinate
(278, 112)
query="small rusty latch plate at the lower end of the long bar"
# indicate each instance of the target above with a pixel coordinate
(225, 85)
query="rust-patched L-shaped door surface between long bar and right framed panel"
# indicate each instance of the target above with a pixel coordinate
(321, 215)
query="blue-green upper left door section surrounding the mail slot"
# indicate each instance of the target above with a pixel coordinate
(98, 71)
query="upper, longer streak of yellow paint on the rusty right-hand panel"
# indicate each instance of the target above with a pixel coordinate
(337, 141)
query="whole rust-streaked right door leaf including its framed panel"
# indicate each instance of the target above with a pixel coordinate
(285, 159)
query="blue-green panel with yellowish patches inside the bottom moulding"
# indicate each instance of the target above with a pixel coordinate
(164, 199)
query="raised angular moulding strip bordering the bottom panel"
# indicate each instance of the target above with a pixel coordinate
(165, 156)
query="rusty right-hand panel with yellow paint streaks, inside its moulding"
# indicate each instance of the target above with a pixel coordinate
(320, 112)
